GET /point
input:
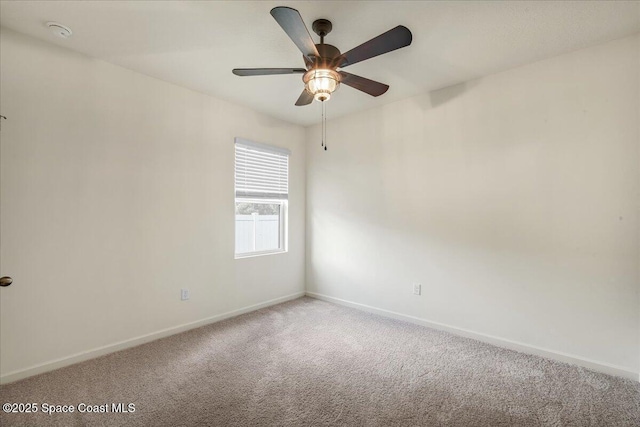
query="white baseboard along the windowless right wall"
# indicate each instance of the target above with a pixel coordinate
(497, 341)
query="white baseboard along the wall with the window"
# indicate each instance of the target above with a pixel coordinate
(101, 351)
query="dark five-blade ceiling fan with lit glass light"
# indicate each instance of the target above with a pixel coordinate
(321, 76)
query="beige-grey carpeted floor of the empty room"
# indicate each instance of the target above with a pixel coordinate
(312, 363)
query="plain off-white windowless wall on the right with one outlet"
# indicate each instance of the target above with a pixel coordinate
(513, 199)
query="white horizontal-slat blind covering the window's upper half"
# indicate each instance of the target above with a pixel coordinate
(262, 171)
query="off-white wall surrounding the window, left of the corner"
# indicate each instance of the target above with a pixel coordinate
(116, 191)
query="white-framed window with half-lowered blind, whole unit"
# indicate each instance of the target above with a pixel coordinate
(262, 192)
